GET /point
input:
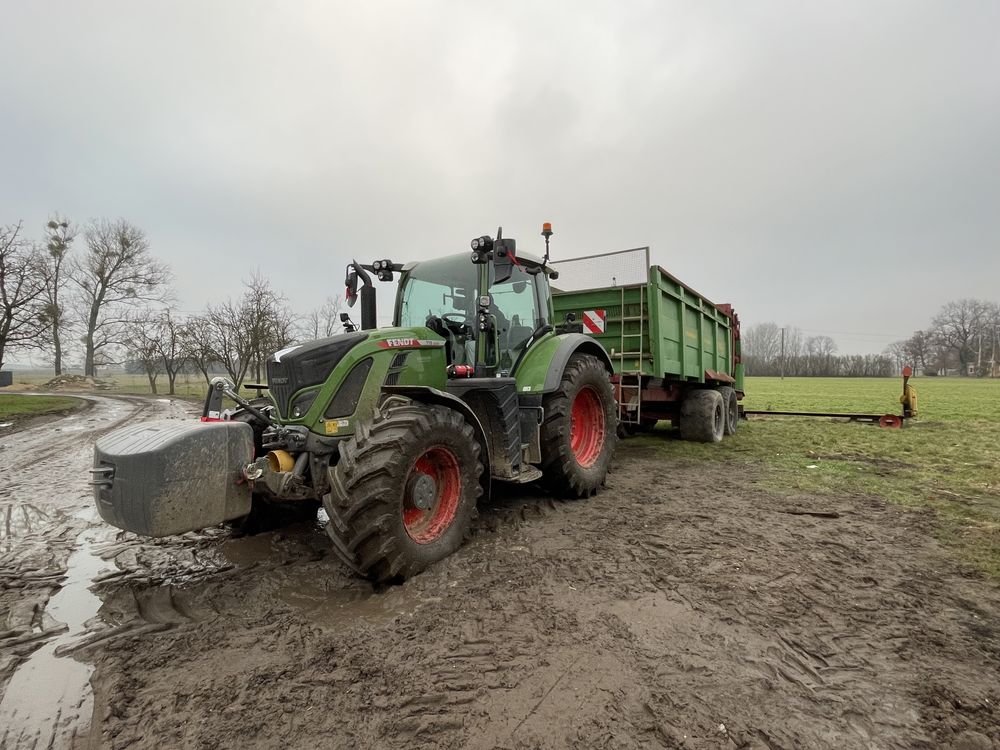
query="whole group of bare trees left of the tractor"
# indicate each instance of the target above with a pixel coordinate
(98, 293)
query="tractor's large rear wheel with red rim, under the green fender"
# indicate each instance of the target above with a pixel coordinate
(579, 432)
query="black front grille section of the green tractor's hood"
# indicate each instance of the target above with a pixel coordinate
(300, 366)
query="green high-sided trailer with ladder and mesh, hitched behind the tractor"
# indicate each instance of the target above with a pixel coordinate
(676, 354)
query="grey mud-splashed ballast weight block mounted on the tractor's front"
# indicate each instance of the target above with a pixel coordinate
(168, 477)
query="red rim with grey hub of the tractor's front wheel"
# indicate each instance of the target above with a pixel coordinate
(435, 482)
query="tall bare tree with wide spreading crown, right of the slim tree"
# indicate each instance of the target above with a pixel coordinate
(116, 273)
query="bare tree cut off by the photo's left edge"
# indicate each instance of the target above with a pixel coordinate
(22, 292)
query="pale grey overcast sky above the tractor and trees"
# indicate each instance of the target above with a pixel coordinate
(830, 166)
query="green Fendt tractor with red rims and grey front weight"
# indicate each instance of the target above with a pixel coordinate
(397, 431)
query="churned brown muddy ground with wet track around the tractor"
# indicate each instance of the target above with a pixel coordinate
(683, 607)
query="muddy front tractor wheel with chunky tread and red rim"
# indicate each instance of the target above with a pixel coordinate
(403, 494)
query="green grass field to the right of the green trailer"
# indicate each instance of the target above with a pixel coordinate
(947, 459)
